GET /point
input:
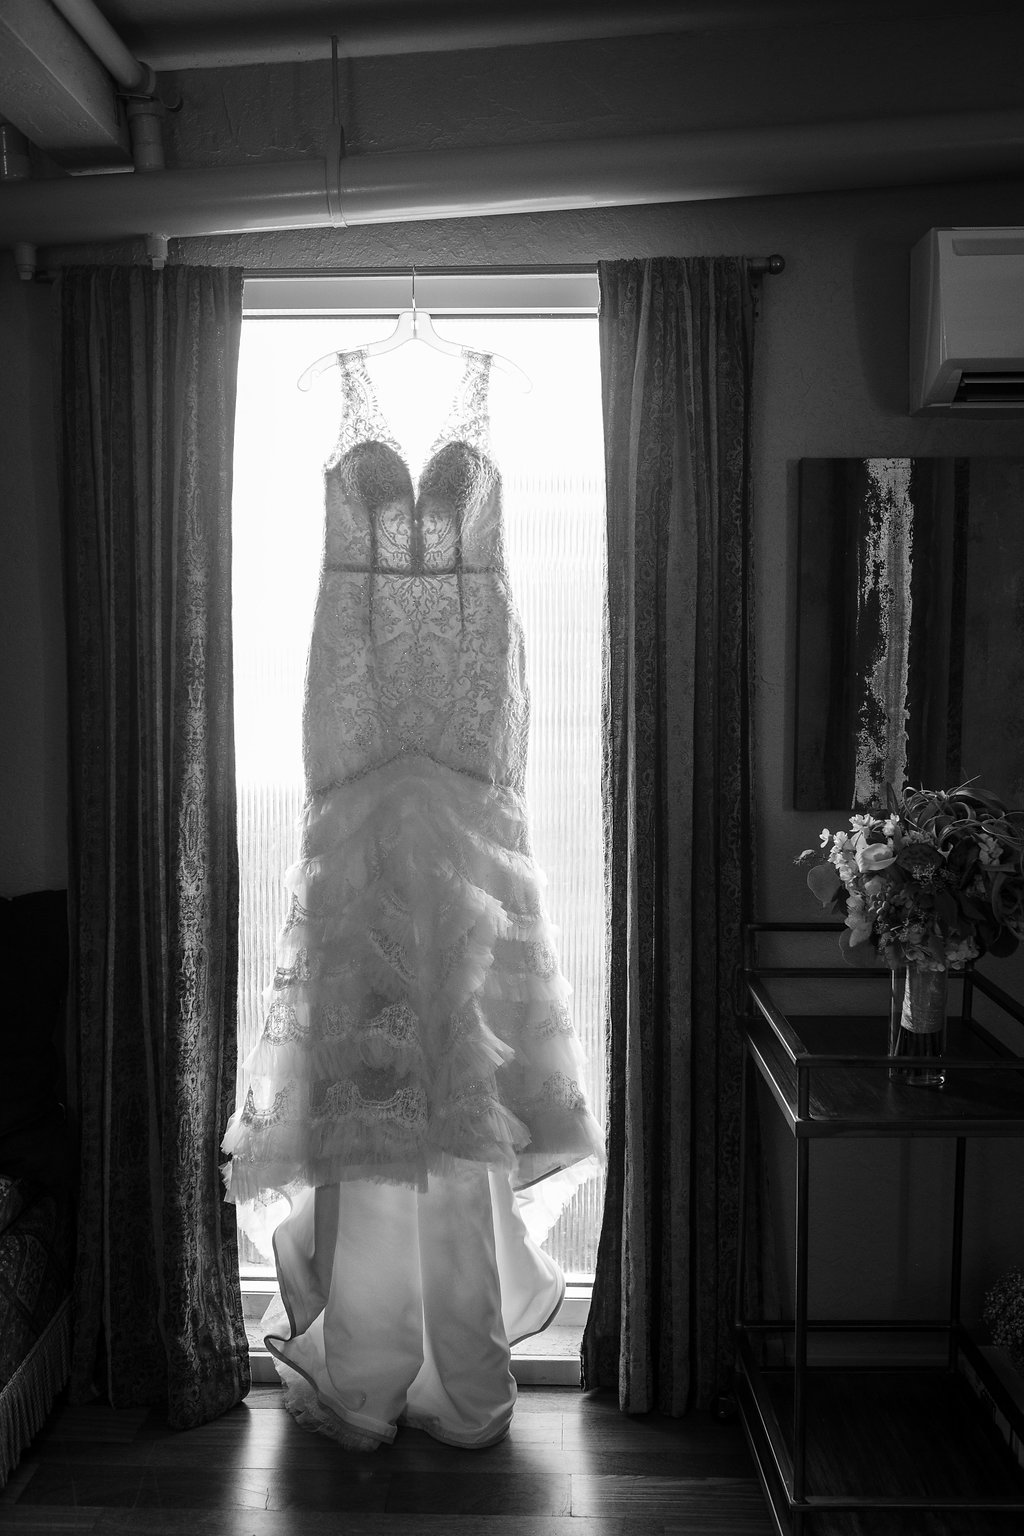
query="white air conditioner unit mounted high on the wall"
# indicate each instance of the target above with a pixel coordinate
(968, 322)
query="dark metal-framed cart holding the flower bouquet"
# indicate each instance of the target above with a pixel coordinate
(874, 1451)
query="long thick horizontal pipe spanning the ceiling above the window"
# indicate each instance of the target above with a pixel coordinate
(394, 188)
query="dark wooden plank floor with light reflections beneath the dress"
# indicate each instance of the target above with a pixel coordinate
(572, 1466)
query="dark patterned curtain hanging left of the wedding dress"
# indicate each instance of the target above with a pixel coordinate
(148, 365)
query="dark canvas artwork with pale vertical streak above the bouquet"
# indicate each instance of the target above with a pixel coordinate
(910, 627)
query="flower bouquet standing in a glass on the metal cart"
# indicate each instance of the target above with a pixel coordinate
(936, 882)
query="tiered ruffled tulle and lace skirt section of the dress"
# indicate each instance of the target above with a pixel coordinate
(418, 1016)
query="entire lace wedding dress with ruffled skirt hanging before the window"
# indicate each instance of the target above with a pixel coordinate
(418, 1062)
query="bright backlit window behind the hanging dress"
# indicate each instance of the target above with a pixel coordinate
(549, 445)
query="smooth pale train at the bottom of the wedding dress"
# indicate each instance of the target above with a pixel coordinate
(421, 1334)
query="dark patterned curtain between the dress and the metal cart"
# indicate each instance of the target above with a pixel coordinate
(676, 342)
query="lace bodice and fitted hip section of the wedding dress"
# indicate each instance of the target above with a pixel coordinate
(417, 641)
